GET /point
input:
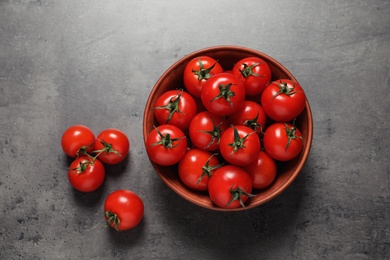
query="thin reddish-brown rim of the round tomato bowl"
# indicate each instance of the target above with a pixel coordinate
(307, 144)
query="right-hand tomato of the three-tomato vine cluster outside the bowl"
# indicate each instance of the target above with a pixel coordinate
(119, 143)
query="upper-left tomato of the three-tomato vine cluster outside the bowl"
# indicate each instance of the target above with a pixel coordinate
(78, 139)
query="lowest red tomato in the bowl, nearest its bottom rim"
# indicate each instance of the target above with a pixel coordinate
(230, 186)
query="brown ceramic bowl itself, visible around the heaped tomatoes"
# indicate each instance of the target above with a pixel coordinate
(227, 56)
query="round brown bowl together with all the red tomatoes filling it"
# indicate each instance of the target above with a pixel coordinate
(227, 128)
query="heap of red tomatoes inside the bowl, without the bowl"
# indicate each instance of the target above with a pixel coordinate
(226, 130)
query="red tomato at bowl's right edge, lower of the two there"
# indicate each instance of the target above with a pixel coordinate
(282, 141)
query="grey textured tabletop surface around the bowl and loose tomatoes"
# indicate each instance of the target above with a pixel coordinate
(95, 62)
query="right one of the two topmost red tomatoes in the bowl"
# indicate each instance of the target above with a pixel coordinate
(254, 73)
